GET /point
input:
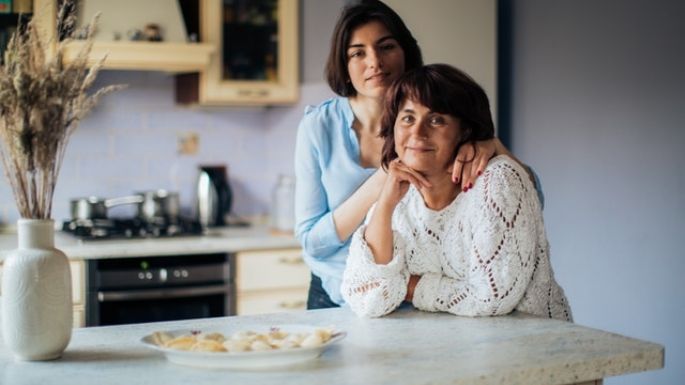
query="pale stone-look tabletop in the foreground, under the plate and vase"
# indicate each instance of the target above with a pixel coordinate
(408, 347)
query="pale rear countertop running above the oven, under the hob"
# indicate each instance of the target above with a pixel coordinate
(257, 237)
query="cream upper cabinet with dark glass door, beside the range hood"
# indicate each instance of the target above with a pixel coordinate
(257, 59)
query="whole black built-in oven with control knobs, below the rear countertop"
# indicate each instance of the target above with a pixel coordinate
(165, 288)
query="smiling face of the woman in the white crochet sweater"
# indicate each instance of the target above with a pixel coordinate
(425, 140)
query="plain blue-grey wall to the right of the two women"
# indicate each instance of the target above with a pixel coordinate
(598, 110)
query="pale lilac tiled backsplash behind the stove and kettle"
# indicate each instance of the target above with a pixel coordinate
(129, 142)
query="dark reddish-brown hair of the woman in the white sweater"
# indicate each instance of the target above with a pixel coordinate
(442, 89)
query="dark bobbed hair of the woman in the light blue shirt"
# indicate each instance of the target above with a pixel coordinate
(354, 16)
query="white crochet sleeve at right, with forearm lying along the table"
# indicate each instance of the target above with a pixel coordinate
(488, 251)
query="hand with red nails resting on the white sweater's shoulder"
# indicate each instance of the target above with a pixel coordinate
(471, 161)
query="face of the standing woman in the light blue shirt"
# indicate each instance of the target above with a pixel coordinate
(374, 59)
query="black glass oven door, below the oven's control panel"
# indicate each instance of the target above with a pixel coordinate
(161, 304)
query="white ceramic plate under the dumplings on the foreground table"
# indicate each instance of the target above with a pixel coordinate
(244, 360)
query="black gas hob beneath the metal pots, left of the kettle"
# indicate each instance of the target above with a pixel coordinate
(130, 228)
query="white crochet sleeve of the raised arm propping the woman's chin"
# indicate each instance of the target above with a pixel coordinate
(370, 289)
